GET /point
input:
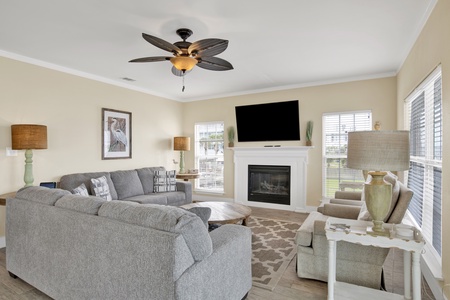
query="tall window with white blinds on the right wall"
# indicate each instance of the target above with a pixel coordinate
(423, 109)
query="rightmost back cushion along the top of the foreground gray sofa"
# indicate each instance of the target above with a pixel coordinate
(165, 218)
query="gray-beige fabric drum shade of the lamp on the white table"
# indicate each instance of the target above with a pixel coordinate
(384, 150)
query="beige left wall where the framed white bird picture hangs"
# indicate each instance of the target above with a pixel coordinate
(71, 108)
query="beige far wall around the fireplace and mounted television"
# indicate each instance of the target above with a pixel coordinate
(378, 95)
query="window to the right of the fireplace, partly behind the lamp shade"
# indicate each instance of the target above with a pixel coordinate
(336, 126)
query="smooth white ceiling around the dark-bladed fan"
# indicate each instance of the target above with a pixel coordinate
(272, 44)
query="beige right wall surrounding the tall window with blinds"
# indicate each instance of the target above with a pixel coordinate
(431, 48)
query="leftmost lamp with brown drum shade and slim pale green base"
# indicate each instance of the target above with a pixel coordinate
(28, 137)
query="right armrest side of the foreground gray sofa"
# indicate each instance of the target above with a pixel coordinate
(227, 271)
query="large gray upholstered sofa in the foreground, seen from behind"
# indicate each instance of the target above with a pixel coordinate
(77, 247)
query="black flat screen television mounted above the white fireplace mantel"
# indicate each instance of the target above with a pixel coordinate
(276, 121)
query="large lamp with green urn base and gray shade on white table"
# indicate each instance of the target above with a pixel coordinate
(378, 152)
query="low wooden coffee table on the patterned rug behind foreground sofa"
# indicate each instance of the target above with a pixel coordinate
(224, 212)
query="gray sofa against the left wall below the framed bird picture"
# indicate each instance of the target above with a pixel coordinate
(132, 185)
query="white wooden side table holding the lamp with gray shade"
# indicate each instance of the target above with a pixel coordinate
(357, 233)
